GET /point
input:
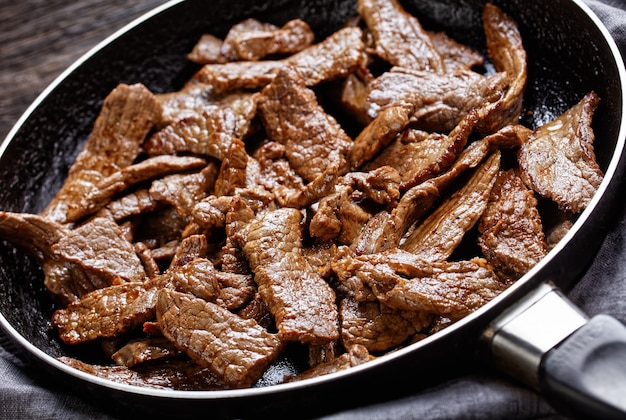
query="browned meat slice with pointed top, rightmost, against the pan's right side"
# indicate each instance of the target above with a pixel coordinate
(559, 162)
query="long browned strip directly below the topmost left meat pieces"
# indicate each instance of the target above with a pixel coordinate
(335, 57)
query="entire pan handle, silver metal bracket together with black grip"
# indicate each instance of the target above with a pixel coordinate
(578, 364)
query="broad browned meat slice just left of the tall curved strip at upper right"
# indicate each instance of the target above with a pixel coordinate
(440, 101)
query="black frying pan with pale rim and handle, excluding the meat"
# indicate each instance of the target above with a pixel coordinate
(570, 53)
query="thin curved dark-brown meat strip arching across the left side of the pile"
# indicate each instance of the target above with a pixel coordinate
(101, 193)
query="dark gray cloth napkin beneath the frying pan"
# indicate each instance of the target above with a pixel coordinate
(27, 393)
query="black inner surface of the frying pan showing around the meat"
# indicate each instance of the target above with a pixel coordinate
(38, 153)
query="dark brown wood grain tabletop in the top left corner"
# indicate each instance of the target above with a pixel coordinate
(39, 39)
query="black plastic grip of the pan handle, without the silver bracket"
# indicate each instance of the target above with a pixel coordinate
(585, 375)
